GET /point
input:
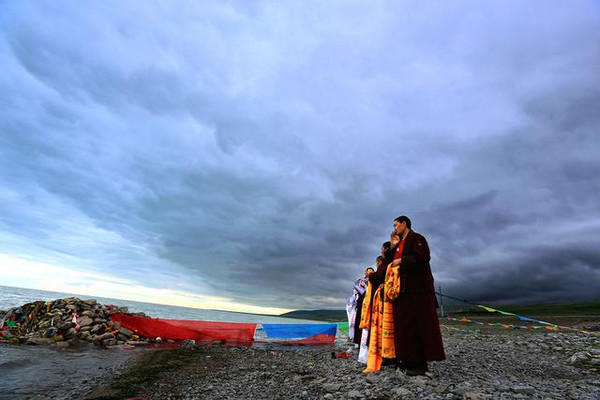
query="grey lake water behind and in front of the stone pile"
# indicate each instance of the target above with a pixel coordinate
(40, 372)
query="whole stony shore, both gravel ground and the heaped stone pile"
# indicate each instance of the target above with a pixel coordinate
(481, 364)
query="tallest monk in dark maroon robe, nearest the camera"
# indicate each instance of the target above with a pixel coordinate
(416, 326)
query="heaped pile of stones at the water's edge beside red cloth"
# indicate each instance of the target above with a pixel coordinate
(65, 322)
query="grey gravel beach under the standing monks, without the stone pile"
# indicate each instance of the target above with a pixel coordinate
(489, 364)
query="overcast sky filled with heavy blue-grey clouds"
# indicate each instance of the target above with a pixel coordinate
(253, 155)
